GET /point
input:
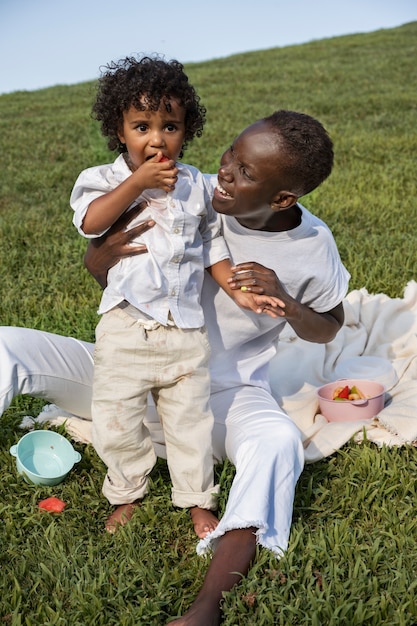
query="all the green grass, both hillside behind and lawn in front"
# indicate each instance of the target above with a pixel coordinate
(352, 557)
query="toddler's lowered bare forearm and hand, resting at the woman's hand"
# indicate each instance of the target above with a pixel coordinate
(221, 272)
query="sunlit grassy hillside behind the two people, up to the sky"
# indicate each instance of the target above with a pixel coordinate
(362, 87)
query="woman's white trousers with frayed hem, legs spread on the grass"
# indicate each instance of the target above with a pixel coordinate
(249, 428)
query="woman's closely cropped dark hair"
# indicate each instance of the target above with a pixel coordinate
(307, 147)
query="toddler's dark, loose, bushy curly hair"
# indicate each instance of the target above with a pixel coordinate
(145, 83)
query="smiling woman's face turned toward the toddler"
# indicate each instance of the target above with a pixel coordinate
(250, 177)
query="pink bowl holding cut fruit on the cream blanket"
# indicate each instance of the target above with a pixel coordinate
(351, 410)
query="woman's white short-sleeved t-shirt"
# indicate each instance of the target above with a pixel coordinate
(306, 261)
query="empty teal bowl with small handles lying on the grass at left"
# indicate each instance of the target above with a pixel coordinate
(44, 457)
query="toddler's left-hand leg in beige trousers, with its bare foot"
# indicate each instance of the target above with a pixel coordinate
(123, 364)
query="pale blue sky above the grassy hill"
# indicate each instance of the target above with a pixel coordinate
(49, 42)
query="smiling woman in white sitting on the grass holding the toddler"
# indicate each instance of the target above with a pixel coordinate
(293, 257)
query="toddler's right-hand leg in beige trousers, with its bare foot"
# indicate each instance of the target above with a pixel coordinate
(183, 405)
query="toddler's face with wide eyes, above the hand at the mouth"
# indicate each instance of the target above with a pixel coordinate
(147, 132)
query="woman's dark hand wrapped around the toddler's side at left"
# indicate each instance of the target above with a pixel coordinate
(104, 252)
